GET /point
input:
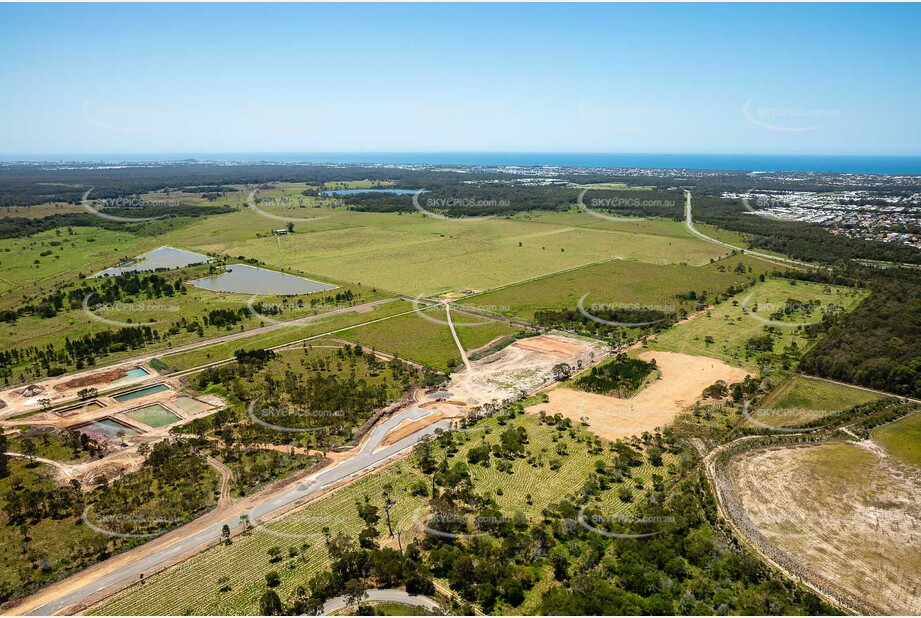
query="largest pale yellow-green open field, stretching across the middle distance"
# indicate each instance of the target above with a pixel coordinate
(414, 254)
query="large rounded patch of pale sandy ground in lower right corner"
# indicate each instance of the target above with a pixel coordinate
(848, 513)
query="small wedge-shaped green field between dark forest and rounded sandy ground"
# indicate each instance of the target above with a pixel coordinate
(800, 399)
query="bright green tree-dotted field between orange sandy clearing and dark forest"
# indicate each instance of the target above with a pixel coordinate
(725, 331)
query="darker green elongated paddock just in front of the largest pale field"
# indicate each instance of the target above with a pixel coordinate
(618, 284)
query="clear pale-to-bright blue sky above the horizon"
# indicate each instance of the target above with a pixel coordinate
(168, 78)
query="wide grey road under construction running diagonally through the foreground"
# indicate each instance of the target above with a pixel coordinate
(369, 456)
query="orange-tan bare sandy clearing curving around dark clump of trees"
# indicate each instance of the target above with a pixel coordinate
(682, 378)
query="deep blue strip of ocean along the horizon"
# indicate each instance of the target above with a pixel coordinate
(742, 162)
